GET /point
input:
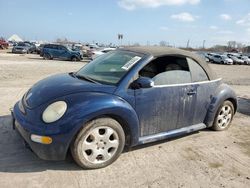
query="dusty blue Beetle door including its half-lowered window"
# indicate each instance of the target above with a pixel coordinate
(169, 103)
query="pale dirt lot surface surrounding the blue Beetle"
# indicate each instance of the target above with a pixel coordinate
(202, 159)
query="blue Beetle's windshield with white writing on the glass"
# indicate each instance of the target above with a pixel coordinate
(109, 68)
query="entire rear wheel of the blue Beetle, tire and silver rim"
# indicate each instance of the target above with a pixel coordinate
(224, 116)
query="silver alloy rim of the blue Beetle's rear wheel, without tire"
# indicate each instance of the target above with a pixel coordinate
(224, 116)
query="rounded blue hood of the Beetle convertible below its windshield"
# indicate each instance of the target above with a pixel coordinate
(61, 85)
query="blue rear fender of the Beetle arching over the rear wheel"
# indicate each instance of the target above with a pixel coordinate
(222, 93)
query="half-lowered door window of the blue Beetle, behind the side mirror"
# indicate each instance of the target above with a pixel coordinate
(167, 70)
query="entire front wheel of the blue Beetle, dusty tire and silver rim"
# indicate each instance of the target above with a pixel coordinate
(99, 139)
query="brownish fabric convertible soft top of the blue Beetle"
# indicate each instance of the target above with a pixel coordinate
(157, 51)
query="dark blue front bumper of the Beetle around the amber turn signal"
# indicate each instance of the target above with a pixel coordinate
(57, 150)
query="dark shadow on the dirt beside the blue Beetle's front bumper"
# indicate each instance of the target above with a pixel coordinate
(16, 158)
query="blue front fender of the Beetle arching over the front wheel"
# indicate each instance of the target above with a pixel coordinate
(89, 105)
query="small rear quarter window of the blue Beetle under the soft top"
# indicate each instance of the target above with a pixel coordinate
(197, 72)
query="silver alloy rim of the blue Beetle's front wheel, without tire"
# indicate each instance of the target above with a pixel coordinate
(100, 144)
